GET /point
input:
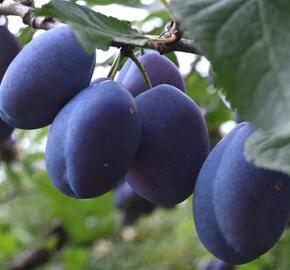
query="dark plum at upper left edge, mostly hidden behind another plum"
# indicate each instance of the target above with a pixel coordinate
(9, 48)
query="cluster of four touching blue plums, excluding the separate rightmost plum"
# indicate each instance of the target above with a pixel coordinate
(103, 131)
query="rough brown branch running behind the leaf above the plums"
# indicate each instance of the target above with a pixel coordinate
(39, 22)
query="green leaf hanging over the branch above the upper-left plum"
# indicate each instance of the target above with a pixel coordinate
(92, 29)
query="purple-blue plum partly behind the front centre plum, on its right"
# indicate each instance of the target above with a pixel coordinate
(173, 147)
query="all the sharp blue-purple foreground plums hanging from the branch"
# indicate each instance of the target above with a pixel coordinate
(103, 131)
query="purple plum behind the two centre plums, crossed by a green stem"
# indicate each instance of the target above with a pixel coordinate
(159, 69)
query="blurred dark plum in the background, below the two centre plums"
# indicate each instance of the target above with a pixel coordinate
(130, 204)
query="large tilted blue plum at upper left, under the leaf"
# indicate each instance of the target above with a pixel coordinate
(53, 68)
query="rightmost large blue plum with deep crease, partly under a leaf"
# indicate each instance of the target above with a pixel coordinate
(240, 211)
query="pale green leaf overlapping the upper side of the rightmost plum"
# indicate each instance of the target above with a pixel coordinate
(269, 151)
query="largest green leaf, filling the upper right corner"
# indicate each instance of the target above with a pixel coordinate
(247, 43)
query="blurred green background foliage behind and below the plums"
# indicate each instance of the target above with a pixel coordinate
(65, 233)
